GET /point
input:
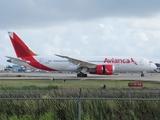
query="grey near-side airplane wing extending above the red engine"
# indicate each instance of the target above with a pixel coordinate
(80, 63)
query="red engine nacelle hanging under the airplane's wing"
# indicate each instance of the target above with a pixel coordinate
(104, 70)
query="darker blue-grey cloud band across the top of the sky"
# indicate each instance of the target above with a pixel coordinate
(31, 13)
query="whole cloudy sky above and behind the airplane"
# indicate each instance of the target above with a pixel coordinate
(82, 27)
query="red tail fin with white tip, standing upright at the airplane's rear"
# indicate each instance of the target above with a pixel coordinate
(21, 49)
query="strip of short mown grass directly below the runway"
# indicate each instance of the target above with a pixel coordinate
(76, 84)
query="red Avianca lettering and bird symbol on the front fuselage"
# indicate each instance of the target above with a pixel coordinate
(123, 61)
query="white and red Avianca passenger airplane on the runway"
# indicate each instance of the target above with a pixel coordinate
(101, 65)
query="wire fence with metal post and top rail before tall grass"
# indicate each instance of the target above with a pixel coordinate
(80, 108)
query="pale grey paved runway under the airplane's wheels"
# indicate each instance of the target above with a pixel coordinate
(73, 76)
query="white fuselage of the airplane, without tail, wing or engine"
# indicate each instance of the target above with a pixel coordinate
(121, 63)
